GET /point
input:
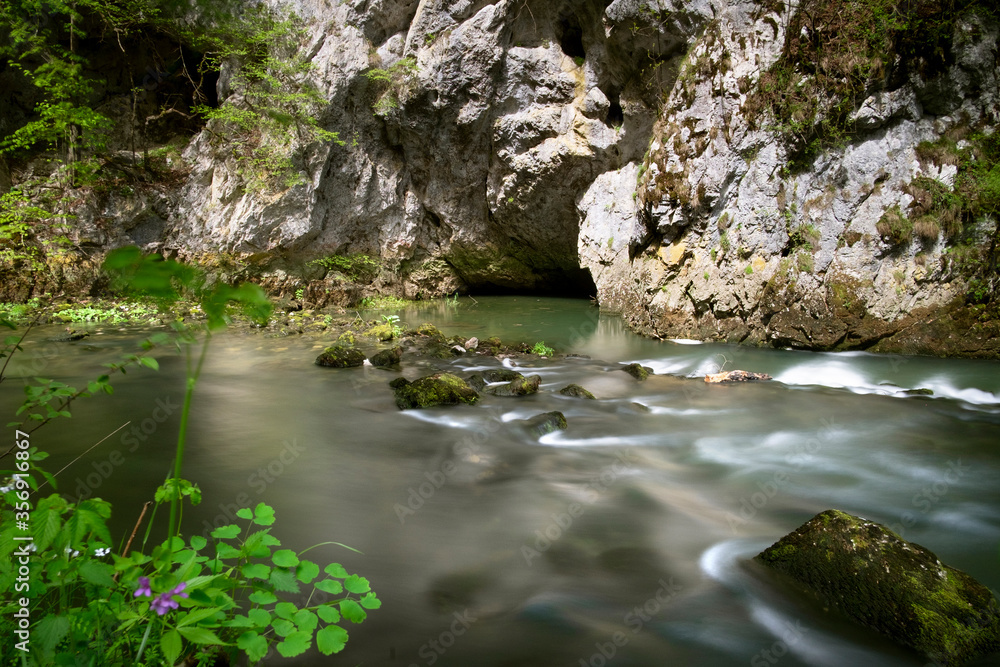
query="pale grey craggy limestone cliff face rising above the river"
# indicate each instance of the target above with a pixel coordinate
(623, 147)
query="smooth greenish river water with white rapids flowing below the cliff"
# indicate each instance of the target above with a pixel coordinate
(624, 540)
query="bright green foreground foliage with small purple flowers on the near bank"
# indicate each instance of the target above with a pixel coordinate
(191, 598)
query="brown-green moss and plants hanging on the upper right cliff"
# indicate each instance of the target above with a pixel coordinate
(836, 54)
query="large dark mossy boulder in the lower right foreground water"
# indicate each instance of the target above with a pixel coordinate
(897, 588)
